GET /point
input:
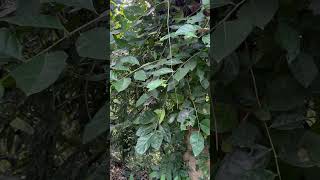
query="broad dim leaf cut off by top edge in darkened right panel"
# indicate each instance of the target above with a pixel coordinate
(259, 12)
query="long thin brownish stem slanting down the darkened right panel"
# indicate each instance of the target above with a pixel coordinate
(265, 125)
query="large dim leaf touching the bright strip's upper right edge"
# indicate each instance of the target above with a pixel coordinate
(228, 37)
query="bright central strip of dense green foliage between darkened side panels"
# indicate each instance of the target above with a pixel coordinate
(160, 102)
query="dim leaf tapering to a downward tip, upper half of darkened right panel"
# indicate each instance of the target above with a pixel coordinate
(288, 39)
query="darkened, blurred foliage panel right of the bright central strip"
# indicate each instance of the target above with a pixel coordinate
(265, 89)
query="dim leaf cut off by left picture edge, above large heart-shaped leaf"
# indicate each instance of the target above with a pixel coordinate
(9, 45)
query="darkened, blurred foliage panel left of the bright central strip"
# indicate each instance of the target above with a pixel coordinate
(52, 89)
